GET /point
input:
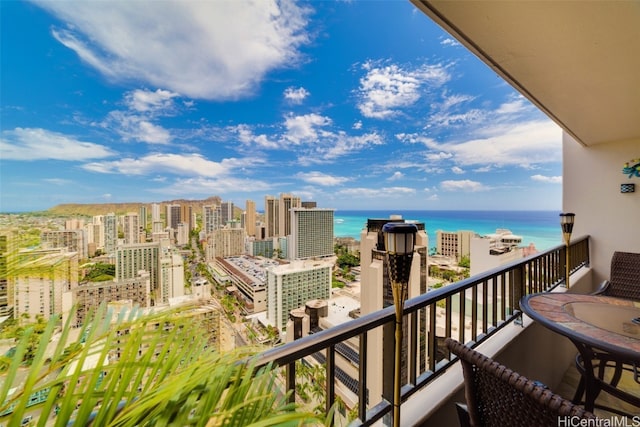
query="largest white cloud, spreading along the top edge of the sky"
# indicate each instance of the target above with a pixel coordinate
(201, 49)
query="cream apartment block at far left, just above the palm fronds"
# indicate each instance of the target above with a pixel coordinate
(41, 282)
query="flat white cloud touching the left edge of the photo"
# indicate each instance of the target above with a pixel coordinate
(42, 144)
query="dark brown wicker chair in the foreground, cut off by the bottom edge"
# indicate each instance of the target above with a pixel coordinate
(498, 396)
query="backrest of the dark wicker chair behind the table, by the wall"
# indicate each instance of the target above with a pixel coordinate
(624, 279)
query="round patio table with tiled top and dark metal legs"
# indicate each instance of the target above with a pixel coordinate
(602, 329)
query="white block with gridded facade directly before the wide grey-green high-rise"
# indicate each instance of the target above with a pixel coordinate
(290, 286)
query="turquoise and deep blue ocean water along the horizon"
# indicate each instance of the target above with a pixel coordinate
(542, 228)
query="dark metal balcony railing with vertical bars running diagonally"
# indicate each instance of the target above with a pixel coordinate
(470, 310)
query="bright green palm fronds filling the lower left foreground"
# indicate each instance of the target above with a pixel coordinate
(164, 376)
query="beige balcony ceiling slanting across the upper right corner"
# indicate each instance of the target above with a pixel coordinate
(579, 61)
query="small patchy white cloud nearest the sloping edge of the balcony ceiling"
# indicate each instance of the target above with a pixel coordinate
(385, 90)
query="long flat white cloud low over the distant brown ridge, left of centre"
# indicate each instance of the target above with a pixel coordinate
(175, 164)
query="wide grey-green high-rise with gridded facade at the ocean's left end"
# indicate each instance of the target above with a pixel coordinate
(311, 233)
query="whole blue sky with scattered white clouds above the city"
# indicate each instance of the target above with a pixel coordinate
(356, 105)
